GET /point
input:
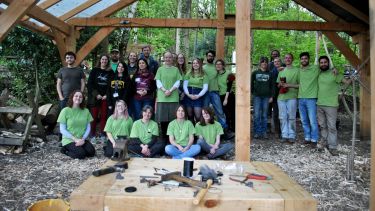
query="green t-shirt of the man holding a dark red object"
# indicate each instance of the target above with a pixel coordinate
(292, 77)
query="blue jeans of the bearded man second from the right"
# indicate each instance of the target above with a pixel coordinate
(308, 112)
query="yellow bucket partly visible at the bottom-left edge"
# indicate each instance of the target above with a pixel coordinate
(49, 204)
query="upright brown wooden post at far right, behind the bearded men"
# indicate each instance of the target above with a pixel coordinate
(365, 97)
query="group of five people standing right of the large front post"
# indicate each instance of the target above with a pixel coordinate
(313, 89)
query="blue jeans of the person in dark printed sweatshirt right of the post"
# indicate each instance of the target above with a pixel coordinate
(260, 114)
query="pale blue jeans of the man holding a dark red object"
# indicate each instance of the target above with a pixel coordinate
(287, 116)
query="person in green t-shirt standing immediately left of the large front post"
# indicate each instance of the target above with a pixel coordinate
(225, 79)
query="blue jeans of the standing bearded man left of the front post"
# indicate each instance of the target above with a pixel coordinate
(213, 97)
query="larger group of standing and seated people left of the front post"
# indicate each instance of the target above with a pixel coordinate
(122, 97)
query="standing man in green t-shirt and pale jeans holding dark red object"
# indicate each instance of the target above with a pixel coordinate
(288, 81)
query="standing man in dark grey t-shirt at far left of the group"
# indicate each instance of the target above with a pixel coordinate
(69, 78)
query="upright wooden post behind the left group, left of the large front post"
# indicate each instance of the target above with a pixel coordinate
(220, 31)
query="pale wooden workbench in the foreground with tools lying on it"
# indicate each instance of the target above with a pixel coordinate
(107, 193)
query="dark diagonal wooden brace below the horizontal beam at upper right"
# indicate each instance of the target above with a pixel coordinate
(344, 48)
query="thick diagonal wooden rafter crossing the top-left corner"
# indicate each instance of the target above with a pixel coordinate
(15, 11)
